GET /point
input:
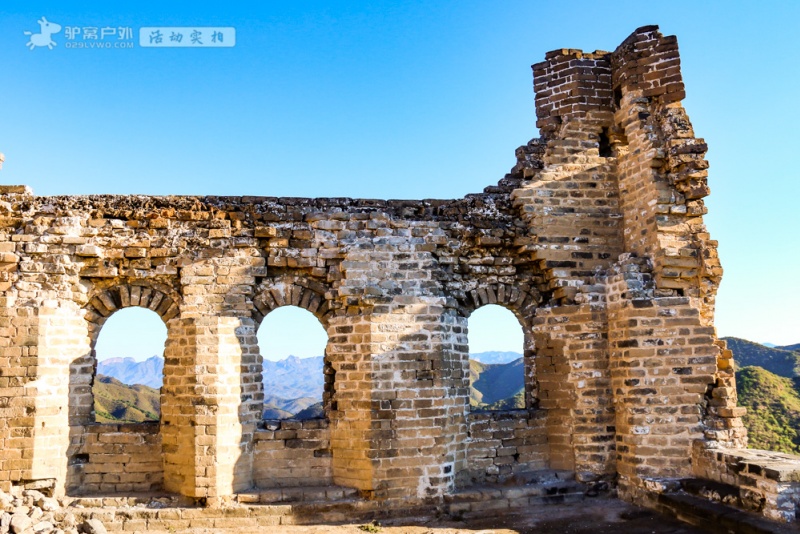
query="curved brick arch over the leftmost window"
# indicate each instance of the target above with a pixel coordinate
(103, 302)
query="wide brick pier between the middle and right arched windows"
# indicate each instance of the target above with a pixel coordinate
(399, 423)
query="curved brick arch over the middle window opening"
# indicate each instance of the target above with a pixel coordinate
(292, 291)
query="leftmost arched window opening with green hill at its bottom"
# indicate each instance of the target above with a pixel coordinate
(130, 367)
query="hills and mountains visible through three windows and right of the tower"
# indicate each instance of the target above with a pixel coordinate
(768, 381)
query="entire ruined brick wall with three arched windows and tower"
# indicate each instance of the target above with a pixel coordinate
(595, 241)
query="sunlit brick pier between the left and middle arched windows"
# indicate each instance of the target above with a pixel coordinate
(207, 423)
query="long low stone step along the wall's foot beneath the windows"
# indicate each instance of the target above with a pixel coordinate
(313, 504)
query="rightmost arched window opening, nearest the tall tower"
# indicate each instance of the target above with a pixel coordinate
(496, 360)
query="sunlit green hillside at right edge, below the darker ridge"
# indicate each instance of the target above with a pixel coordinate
(773, 409)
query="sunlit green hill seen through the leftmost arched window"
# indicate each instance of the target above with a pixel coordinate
(115, 402)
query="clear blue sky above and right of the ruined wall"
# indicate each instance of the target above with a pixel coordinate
(399, 100)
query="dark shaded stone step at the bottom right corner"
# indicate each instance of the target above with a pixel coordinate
(715, 517)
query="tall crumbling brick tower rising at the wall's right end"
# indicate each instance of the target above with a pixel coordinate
(612, 192)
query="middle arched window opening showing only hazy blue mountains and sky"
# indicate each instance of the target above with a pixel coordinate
(292, 343)
